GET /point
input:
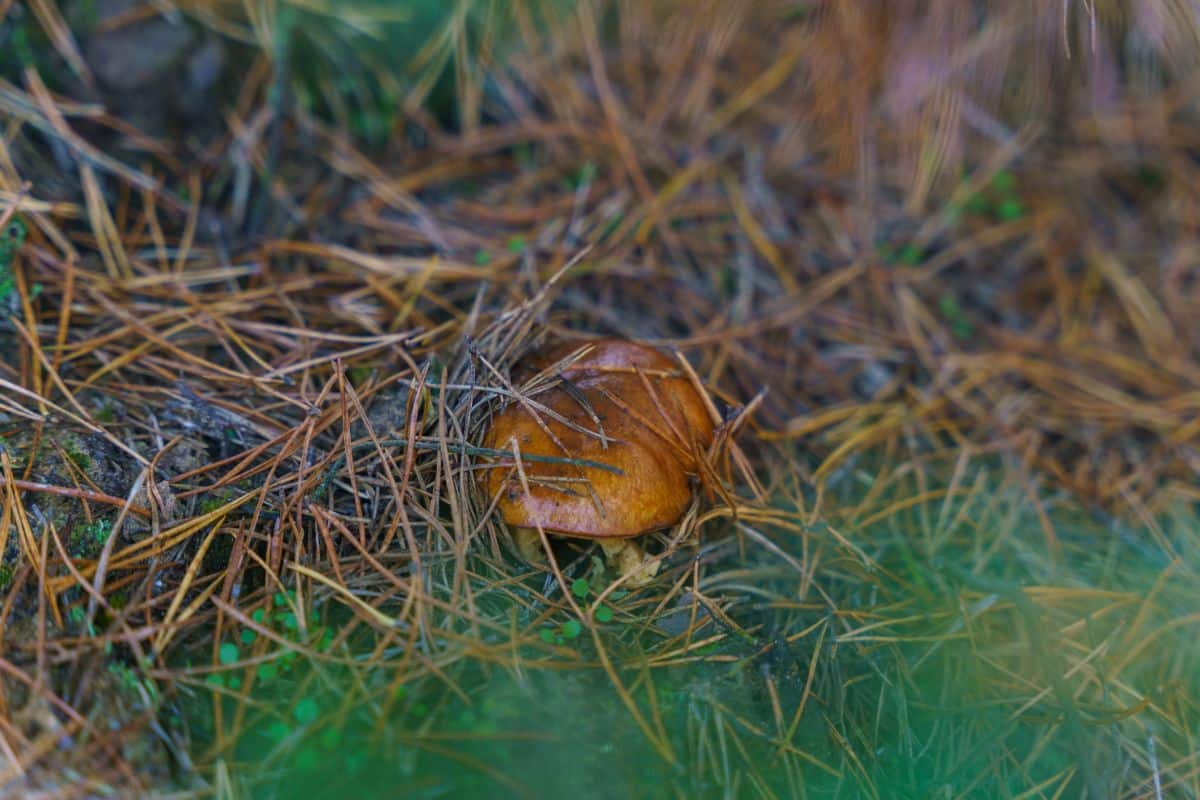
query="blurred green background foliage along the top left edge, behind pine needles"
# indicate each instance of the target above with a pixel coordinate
(356, 64)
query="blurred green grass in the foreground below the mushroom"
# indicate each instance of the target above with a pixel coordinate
(951, 651)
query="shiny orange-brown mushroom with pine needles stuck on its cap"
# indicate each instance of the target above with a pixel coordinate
(625, 431)
